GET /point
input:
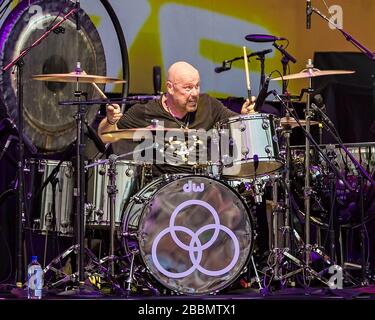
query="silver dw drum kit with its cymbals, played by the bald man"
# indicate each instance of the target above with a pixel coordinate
(184, 233)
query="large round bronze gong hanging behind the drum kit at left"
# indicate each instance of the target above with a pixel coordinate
(50, 127)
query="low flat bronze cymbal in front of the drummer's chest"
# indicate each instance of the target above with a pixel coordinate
(139, 133)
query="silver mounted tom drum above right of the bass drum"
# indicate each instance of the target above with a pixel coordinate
(249, 146)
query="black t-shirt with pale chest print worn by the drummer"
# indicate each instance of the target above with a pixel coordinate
(209, 112)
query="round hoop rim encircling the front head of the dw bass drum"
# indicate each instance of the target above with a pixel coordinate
(173, 179)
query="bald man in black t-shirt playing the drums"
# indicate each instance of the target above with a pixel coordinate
(182, 106)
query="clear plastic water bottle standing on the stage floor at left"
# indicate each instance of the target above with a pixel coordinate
(35, 279)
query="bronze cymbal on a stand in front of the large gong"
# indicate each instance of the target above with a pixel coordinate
(74, 77)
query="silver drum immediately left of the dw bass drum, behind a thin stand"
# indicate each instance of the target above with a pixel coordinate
(128, 182)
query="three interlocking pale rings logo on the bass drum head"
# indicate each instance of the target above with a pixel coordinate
(195, 247)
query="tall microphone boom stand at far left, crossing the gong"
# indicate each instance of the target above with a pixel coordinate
(18, 63)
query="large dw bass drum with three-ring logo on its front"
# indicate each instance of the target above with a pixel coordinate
(194, 234)
